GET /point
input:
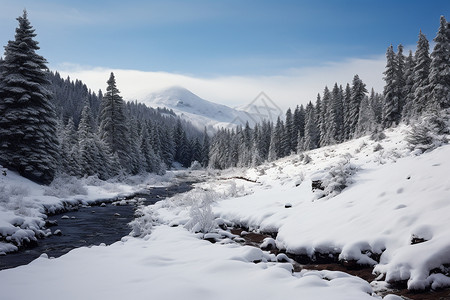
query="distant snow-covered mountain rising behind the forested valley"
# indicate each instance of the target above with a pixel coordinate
(198, 111)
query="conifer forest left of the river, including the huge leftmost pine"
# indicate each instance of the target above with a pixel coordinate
(49, 124)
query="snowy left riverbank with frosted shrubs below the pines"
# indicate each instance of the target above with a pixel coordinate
(24, 204)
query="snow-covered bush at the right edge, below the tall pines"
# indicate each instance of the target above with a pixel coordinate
(430, 133)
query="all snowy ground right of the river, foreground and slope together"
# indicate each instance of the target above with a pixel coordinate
(395, 206)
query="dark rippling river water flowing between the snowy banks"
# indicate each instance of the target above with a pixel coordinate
(89, 226)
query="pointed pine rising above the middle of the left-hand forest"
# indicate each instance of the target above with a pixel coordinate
(113, 124)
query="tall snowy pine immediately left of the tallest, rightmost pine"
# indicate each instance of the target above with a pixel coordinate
(421, 73)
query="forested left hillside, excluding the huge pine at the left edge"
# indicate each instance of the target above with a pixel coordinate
(103, 135)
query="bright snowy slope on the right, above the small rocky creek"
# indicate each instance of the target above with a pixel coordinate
(393, 197)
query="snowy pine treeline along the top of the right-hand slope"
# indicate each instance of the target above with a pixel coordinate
(415, 85)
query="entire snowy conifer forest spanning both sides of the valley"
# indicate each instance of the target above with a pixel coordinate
(51, 126)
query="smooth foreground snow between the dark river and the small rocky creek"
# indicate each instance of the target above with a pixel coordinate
(173, 264)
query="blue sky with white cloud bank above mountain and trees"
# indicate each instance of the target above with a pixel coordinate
(223, 51)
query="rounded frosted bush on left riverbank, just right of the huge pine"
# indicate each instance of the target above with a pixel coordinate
(64, 186)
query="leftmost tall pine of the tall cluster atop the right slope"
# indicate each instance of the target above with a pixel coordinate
(392, 89)
